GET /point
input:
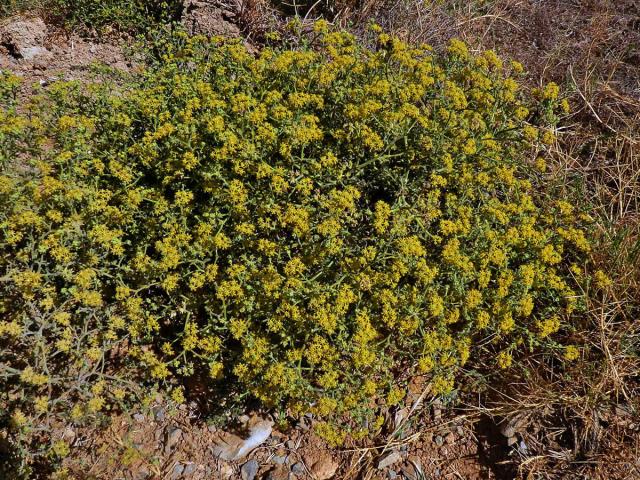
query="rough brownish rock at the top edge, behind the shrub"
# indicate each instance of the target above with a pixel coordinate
(202, 18)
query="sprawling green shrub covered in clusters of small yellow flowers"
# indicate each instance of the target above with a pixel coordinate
(309, 224)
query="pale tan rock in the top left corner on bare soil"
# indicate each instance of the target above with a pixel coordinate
(24, 37)
